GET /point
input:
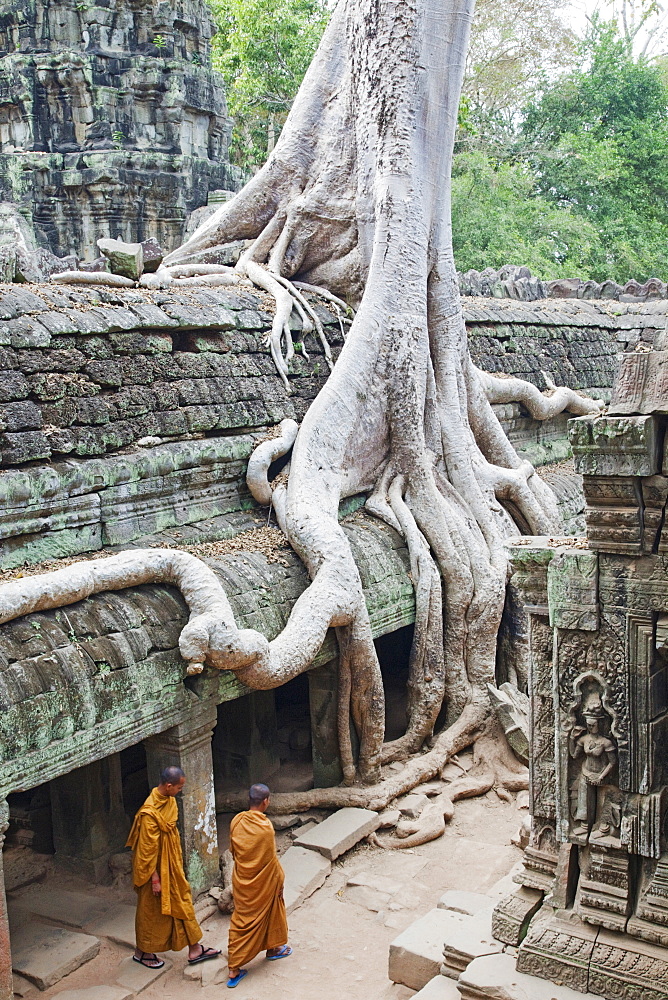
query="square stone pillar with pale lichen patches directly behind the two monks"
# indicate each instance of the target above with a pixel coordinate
(188, 746)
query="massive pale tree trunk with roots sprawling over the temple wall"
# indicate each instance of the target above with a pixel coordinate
(356, 198)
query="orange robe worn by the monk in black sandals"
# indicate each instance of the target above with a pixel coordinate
(165, 922)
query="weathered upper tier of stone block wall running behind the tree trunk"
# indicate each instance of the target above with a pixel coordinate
(128, 415)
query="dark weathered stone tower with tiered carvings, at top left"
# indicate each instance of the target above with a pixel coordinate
(112, 121)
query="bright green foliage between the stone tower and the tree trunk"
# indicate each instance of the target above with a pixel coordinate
(263, 49)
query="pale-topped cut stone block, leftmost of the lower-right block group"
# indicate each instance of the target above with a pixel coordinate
(416, 954)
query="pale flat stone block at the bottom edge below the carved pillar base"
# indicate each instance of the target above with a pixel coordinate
(496, 978)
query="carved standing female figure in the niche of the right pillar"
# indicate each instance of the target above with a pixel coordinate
(594, 798)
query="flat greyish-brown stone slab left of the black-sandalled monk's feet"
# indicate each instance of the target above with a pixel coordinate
(45, 955)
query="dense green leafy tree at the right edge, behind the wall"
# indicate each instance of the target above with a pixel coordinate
(597, 142)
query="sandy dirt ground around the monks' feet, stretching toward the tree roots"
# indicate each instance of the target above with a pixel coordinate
(341, 935)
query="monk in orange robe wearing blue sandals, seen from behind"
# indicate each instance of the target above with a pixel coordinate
(259, 921)
